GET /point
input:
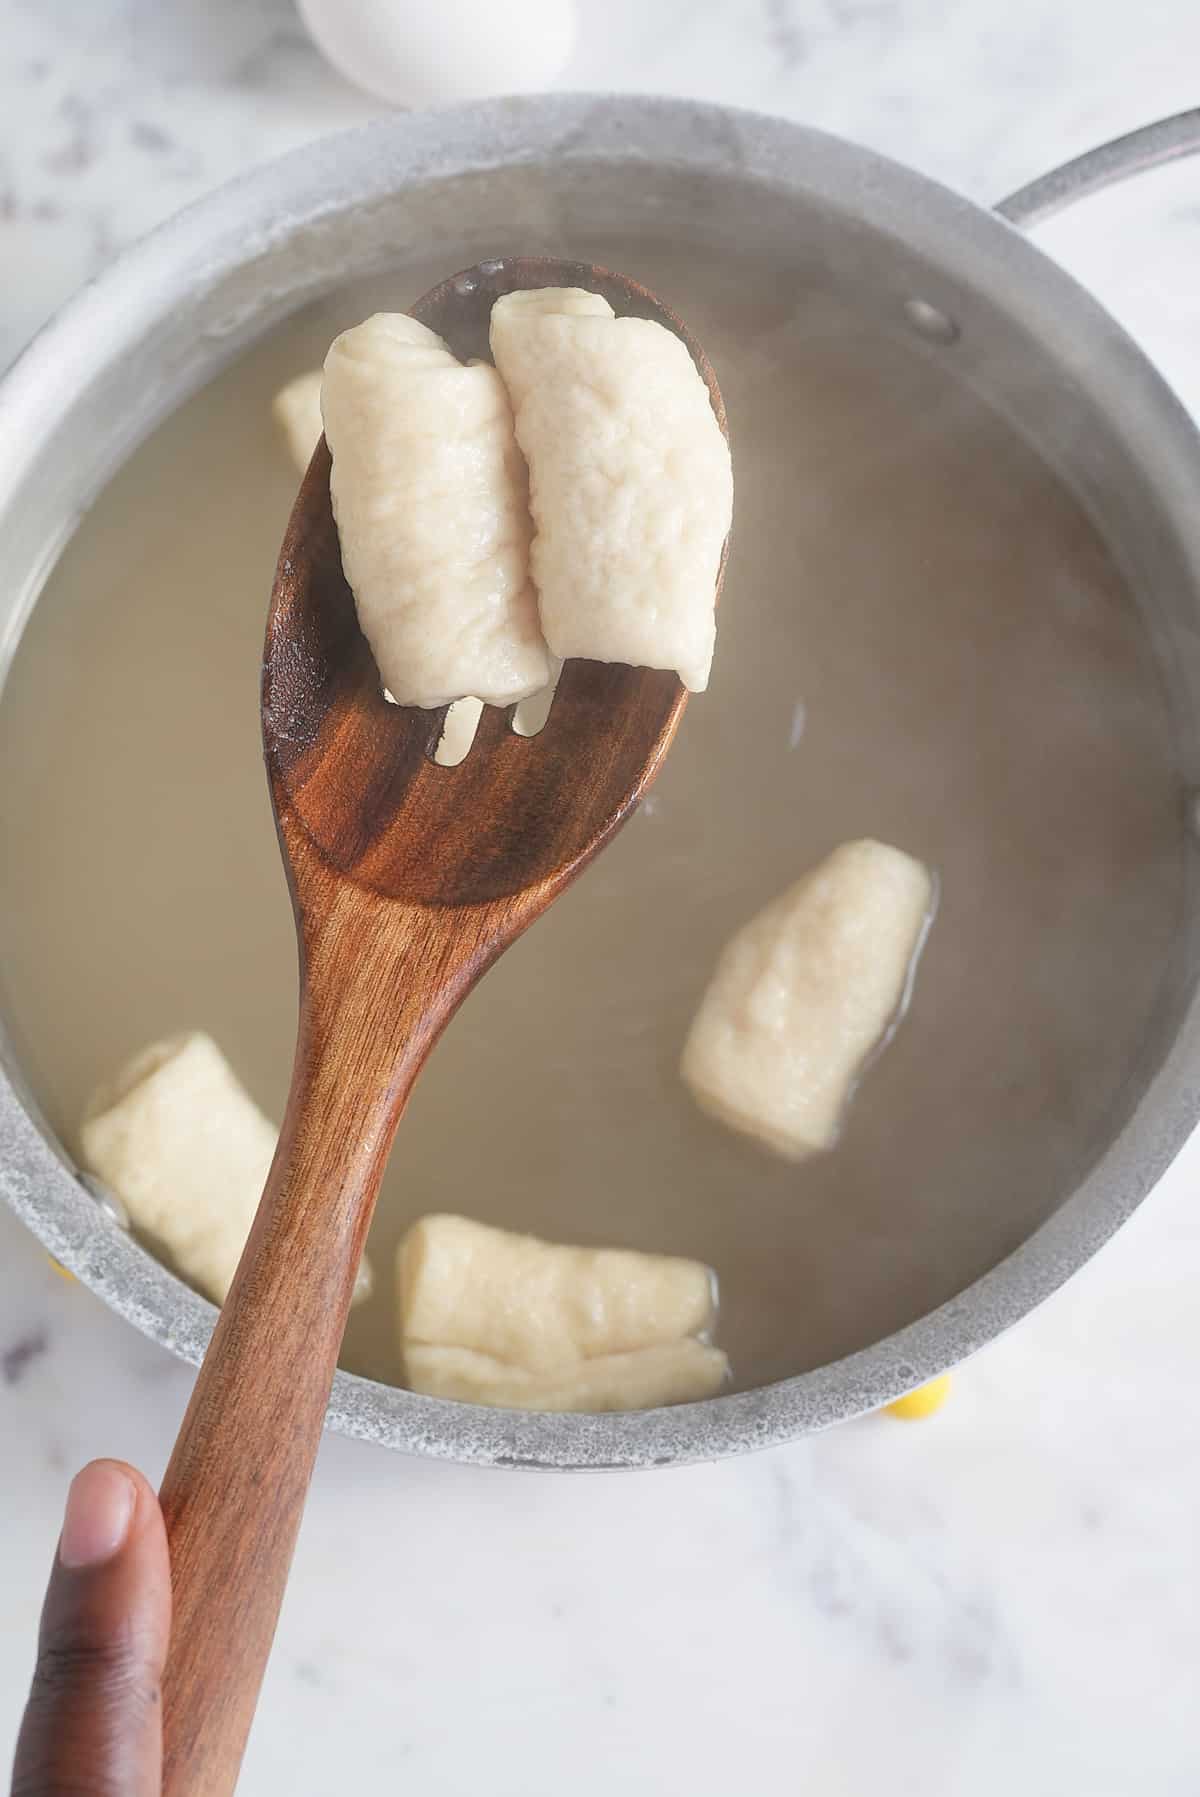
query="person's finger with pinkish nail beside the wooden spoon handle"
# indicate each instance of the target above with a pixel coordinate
(94, 1717)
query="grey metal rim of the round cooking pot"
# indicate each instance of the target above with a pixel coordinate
(247, 217)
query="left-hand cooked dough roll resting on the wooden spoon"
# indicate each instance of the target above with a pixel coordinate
(430, 497)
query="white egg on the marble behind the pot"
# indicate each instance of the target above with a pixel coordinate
(434, 53)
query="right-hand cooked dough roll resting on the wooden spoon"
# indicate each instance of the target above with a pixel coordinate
(631, 486)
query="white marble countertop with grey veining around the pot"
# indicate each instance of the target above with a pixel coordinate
(1003, 1600)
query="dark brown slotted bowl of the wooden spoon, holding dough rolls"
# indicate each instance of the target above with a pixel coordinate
(357, 772)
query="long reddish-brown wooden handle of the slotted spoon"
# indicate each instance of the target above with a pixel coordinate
(240, 1473)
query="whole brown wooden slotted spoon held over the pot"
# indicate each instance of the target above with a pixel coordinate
(407, 880)
